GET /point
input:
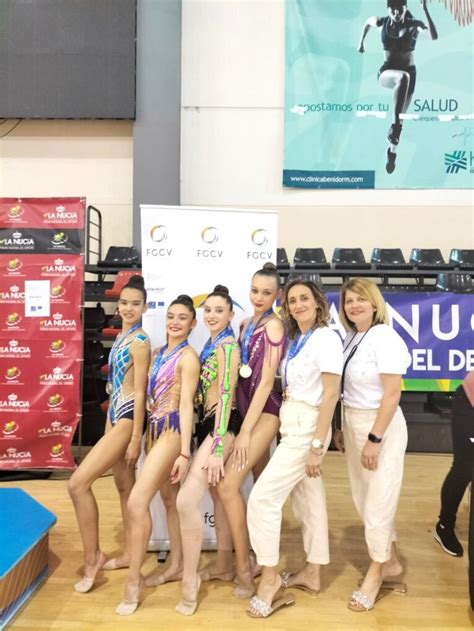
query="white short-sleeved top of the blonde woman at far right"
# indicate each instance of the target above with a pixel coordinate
(382, 351)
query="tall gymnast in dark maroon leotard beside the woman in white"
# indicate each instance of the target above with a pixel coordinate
(262, 341)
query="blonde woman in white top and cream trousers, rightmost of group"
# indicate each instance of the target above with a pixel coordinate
(374, 433)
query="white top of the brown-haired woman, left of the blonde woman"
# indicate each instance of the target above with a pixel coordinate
(321, 353)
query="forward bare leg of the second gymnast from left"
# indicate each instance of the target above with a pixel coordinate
(154, 474)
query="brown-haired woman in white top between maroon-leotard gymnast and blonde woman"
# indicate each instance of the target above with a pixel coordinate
(310, 372)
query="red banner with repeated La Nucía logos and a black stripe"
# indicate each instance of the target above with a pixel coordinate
(41, 345)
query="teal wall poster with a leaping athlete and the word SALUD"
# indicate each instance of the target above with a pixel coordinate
(379, 94)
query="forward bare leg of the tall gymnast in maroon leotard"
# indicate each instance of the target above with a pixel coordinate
(229, 491)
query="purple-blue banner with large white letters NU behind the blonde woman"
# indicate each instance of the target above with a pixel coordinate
(438, 330)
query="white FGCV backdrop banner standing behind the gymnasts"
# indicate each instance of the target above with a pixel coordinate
(189, 251)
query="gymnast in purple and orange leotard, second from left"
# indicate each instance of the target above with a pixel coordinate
(172, 381)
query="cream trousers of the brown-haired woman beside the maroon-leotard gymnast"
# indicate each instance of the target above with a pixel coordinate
(284, 475)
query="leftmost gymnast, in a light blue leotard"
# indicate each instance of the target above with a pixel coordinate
(119, 448)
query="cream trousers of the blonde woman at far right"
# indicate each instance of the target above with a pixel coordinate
(376, 493)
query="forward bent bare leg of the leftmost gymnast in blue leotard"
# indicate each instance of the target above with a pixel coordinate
(105, 453)
